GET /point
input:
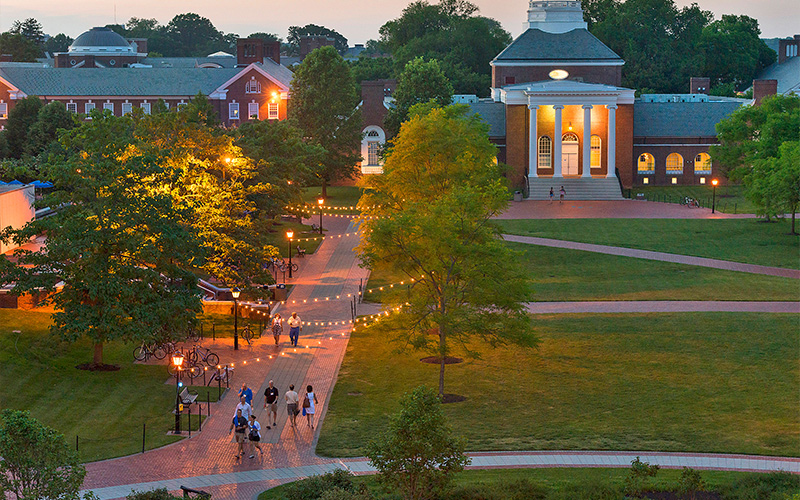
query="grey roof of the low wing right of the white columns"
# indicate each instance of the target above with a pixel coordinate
(681, 119)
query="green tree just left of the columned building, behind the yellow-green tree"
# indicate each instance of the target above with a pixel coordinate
(419, 82)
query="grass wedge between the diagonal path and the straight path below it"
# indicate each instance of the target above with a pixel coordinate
(564, 275)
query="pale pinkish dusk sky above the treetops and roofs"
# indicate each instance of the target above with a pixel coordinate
(357, 20)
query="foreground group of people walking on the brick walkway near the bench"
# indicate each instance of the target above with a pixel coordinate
(245, 425)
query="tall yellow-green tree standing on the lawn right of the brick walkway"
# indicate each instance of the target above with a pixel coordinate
(428, 217)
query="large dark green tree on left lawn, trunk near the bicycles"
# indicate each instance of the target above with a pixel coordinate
(117, 243)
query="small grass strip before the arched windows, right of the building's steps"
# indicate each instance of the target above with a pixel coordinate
(730, 199)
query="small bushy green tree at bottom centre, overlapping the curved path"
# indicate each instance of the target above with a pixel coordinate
(419, 454)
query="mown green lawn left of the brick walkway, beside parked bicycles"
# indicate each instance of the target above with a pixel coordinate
(106, 410)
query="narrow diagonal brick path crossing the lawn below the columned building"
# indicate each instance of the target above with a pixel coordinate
(662, 256)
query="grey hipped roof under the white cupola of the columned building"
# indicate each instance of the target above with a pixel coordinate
(576, 45)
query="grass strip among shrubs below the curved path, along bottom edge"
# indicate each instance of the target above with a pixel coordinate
(575, 484)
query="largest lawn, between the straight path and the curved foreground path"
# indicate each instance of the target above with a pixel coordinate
(706, 382)
